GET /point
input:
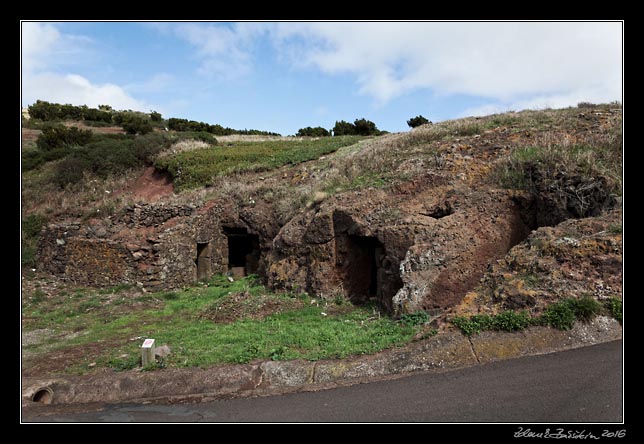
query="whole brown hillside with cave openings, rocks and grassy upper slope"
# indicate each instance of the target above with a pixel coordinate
(513, 212)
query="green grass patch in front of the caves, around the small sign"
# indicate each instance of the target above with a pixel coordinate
(178, 320)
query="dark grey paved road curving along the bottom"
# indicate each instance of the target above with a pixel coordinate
(582, 385)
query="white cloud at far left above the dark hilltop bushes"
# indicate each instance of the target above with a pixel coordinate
(44, 48)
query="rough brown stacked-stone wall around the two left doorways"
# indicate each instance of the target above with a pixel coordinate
(154, 246)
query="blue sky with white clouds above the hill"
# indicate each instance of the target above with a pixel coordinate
(282, 76)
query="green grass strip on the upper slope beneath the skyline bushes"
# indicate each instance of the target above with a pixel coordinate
(197, 168)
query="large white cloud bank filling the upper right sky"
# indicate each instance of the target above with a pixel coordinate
(507, 62)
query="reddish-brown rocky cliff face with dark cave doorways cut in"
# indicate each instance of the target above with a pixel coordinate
(442, 230)
